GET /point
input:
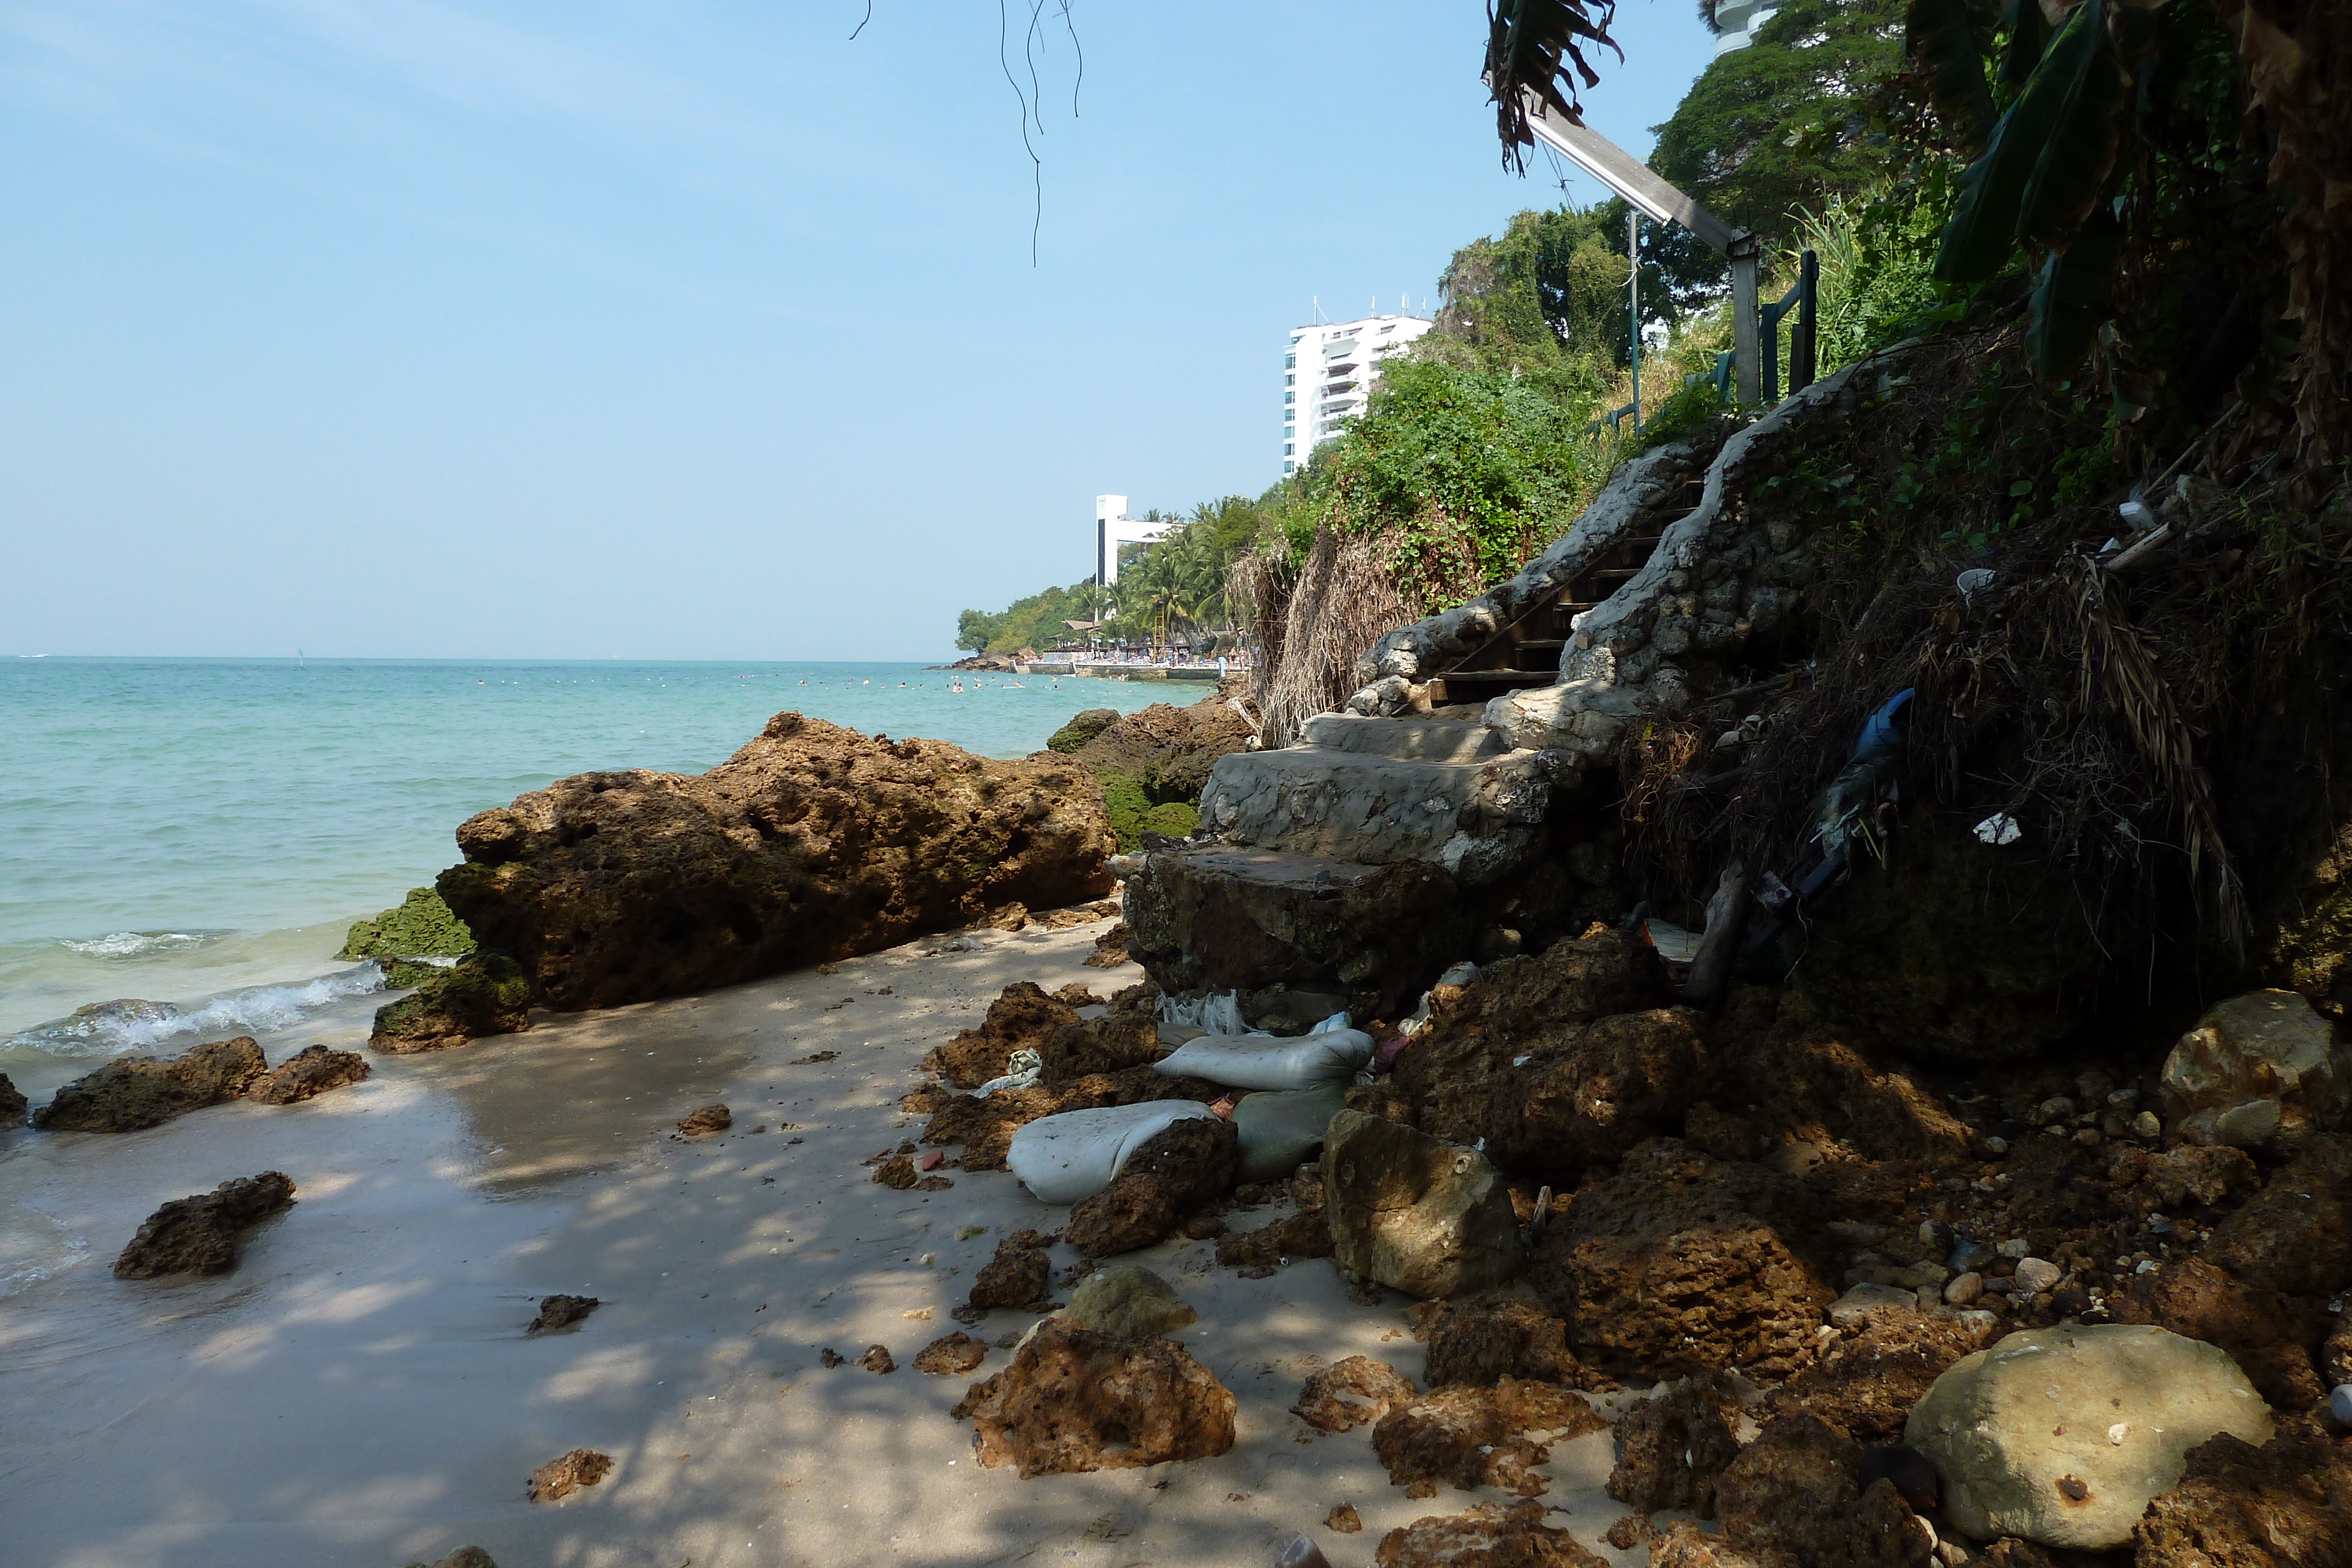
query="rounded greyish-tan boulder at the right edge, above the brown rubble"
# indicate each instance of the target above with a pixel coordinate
(2252, 1071)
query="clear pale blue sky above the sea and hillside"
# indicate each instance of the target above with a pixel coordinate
(683, 330)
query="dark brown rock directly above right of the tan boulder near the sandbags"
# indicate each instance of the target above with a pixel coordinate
(1608, 1087)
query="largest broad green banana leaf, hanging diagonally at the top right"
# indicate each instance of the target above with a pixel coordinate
(2059, 121)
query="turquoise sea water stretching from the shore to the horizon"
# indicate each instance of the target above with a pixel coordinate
(201, 833)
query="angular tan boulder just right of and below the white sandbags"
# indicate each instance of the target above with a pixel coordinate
(1417, 1214)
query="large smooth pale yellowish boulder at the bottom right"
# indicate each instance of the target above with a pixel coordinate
(2066, 1435)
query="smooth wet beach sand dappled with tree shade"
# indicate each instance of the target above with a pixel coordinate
(363, 1391)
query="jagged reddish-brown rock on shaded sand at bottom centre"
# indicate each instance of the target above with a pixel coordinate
(1078, 1400)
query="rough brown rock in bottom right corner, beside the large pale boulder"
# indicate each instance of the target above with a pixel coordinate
(2280, 1506)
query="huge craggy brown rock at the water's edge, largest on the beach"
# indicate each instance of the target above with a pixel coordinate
(813, 843)
